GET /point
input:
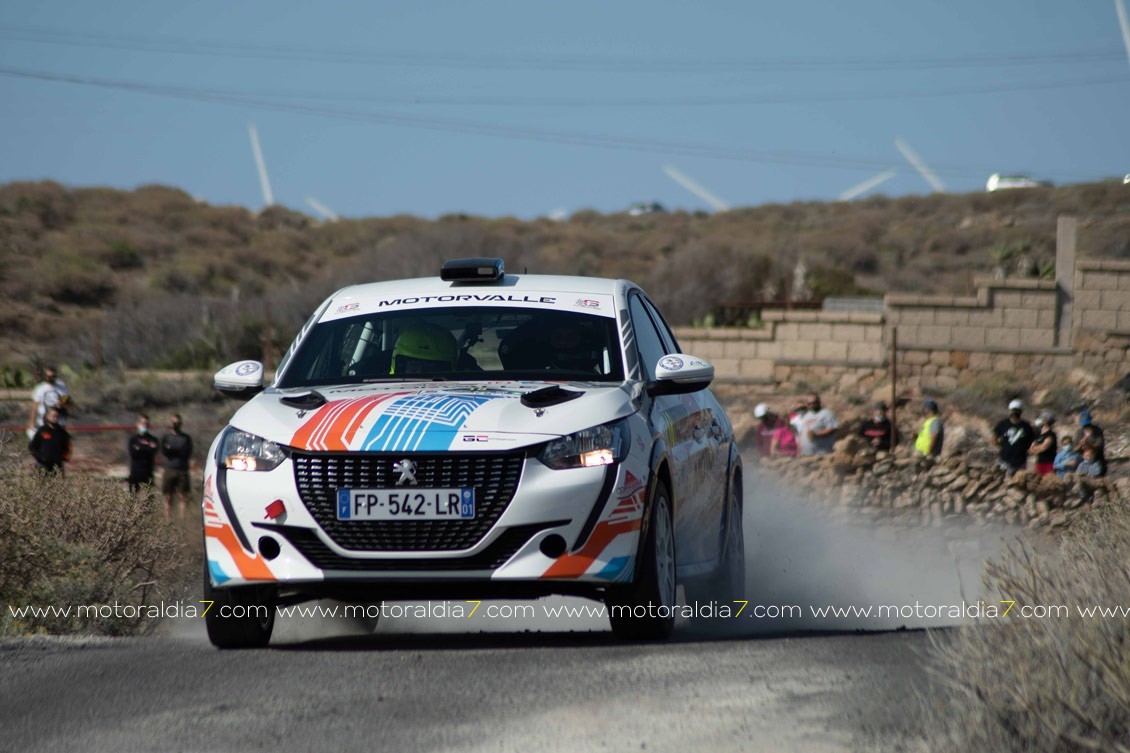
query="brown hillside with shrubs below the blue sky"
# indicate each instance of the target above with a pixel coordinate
(153, 278)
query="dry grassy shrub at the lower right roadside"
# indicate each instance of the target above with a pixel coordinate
(1058, 683)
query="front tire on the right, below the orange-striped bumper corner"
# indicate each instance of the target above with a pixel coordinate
(645, 611)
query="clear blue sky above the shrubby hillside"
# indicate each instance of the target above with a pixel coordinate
(523, 109)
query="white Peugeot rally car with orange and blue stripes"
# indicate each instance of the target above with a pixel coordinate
(474, 436)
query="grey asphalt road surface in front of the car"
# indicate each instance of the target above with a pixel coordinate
(471, 693)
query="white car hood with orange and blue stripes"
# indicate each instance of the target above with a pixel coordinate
(448, 417)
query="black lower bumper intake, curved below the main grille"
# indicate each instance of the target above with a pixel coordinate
(497, 555)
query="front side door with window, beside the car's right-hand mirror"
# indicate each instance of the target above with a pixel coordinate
(684, 422)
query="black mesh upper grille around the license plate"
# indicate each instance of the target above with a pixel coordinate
(320, 475)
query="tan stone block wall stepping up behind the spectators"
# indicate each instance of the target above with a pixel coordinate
(1082, 319)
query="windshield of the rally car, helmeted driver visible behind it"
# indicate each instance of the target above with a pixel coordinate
(458, 344)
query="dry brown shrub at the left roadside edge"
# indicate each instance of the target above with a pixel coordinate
(82, 541)
